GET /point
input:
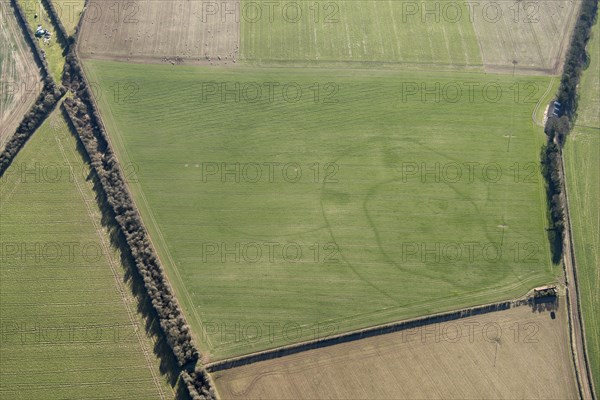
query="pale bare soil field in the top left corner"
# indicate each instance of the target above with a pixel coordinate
(19, 76)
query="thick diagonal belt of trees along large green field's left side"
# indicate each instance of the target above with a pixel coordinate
(85, 120)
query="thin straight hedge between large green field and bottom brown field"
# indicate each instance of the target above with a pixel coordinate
(377, 330)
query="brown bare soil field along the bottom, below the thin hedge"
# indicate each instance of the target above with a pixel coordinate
(517, 353)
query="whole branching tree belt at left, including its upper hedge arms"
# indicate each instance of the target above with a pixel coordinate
(84, 119)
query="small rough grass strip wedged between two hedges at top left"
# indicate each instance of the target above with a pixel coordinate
(53, 49)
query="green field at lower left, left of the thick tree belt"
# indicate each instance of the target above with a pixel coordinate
(69, 325)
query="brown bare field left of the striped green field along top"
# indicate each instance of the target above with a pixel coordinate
(159, 30)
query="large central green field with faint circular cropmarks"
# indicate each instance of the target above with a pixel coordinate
(343, 238)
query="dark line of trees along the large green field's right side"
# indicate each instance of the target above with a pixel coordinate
(558, 127)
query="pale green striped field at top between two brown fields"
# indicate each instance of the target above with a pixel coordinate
(378, 32)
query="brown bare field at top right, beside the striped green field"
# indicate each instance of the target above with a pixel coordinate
(535, 35)
